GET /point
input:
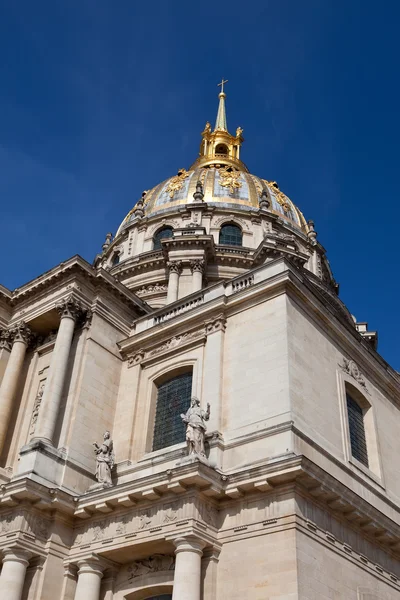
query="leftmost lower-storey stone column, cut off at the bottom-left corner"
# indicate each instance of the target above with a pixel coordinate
(12, 579)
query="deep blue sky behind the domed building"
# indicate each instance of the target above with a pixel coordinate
(100, 100)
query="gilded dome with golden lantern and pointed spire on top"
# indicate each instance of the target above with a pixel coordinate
(225, 179)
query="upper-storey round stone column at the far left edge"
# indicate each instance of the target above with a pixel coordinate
(20, 336)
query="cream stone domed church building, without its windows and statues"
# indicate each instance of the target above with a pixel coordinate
(281, 508)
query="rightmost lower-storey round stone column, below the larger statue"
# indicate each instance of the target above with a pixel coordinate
(187, 577)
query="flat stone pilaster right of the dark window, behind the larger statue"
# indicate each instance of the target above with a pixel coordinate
(213, 367)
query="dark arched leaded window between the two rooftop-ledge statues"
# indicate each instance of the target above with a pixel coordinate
(173, 398)
